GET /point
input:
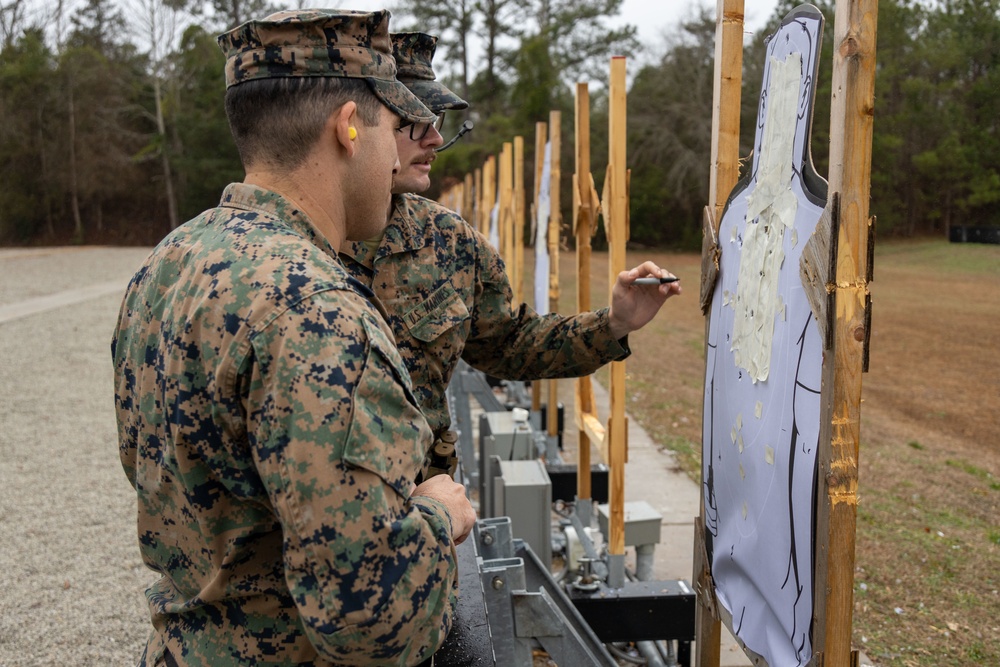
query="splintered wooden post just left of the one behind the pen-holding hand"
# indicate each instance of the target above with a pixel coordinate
(583, 224)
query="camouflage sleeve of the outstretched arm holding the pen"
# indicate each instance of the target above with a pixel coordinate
(534, 346)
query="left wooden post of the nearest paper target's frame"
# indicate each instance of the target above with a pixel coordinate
(724, 168)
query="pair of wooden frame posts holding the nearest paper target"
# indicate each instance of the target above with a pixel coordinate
(841, 273)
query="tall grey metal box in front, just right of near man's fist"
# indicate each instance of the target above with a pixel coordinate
(523, 492)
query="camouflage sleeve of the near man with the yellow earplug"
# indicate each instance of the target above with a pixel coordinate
(338, 439)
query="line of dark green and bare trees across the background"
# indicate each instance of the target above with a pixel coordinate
(112, 127)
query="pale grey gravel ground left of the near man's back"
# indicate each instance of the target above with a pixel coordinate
(71, 580)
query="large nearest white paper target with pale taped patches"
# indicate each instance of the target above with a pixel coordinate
(763, 375)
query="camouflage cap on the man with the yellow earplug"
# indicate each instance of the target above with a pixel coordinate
(316, 42)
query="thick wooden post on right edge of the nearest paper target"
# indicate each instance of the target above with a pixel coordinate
(851, 116)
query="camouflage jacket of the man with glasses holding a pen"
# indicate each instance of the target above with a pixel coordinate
(448, 297)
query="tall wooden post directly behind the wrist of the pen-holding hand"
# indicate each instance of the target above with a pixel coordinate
(616, 227)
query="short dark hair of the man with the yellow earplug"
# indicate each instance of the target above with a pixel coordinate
(278, 120)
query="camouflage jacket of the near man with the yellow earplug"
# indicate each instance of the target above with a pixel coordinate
(266, 422)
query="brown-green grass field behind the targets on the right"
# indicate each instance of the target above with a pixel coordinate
(928, 538)
